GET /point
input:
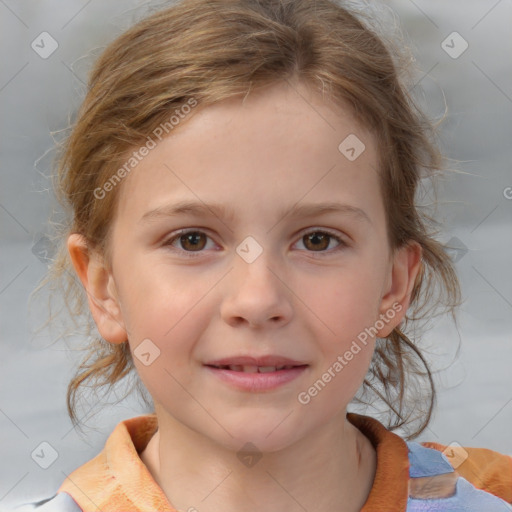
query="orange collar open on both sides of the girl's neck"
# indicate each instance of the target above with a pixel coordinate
(117, 479)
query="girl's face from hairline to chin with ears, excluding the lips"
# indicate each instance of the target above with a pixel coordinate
(266, 271)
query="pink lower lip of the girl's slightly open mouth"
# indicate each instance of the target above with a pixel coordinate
(257, 381)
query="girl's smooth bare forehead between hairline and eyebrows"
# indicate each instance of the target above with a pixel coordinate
(274, 147)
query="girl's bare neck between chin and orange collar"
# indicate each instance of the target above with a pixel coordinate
(330, 470)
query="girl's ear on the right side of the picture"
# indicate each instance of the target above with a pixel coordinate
(406, 265)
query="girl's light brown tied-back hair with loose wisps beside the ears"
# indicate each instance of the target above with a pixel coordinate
(211, 51)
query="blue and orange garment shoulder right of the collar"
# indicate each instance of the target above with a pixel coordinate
(458, 478)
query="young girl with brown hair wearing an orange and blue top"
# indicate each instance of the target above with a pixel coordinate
(242, 178)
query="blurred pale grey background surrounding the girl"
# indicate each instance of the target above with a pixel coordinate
(462, 50)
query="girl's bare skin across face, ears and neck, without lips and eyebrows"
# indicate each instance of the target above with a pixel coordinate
(277, 148)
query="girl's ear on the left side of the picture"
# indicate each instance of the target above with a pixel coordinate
(100, 288)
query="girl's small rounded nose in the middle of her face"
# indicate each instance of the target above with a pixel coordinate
(257, 296)
